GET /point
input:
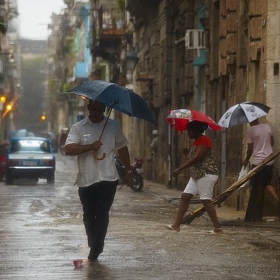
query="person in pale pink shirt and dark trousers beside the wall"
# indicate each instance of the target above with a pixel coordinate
(259, 146)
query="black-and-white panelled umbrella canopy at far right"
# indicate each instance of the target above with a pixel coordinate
(244, 112)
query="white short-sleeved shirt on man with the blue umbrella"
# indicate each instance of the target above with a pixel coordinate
(91, 170)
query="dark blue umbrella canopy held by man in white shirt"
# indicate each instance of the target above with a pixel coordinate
(116, 97)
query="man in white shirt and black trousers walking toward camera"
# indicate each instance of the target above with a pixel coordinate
(97, 179)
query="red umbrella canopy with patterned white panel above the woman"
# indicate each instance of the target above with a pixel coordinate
(181, 117)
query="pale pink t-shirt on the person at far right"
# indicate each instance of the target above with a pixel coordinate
(260, 136)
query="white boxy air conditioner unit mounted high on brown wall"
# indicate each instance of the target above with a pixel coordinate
(195, 39)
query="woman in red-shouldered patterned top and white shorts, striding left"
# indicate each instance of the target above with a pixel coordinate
(203, 176)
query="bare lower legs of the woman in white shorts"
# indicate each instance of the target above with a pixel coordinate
(184, 205)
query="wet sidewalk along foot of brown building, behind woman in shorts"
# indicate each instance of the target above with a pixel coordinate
(228, 216)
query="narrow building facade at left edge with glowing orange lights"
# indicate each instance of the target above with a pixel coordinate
(9, 66)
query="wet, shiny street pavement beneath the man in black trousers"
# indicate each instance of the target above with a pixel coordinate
(42, 233)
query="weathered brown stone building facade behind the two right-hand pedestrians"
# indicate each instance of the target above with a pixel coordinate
(239, 63)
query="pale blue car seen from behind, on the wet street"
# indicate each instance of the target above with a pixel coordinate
(30, 157)
